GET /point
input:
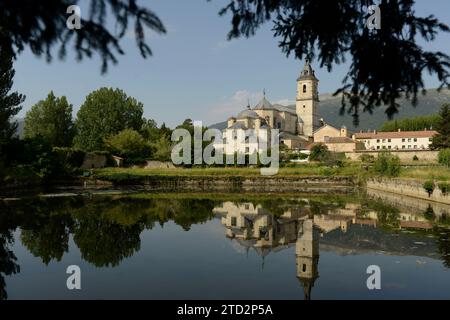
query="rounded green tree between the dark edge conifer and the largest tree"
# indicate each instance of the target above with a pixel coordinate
(52, 119)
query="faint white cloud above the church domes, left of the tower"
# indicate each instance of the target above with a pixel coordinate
(231, 105)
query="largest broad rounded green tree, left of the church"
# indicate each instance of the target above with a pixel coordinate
(105, 113)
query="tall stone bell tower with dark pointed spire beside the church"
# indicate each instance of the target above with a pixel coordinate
(307, 102)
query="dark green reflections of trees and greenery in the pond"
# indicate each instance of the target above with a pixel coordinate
(107, 229)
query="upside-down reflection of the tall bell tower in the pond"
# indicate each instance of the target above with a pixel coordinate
(307, 255)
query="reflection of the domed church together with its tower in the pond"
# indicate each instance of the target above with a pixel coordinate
(253, 226)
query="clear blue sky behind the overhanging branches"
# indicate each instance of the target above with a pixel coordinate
(194, 72)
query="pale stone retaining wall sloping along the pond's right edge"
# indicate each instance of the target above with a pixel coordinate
(408, 187)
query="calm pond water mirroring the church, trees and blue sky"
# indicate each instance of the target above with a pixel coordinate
(185, 246)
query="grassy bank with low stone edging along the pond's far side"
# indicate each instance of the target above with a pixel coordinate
(304, 178)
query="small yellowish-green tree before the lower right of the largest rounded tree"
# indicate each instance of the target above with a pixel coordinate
(129, 144)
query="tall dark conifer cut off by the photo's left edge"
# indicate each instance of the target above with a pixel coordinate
(9, 101)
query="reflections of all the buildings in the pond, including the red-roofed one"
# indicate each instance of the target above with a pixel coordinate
(256, 227)
